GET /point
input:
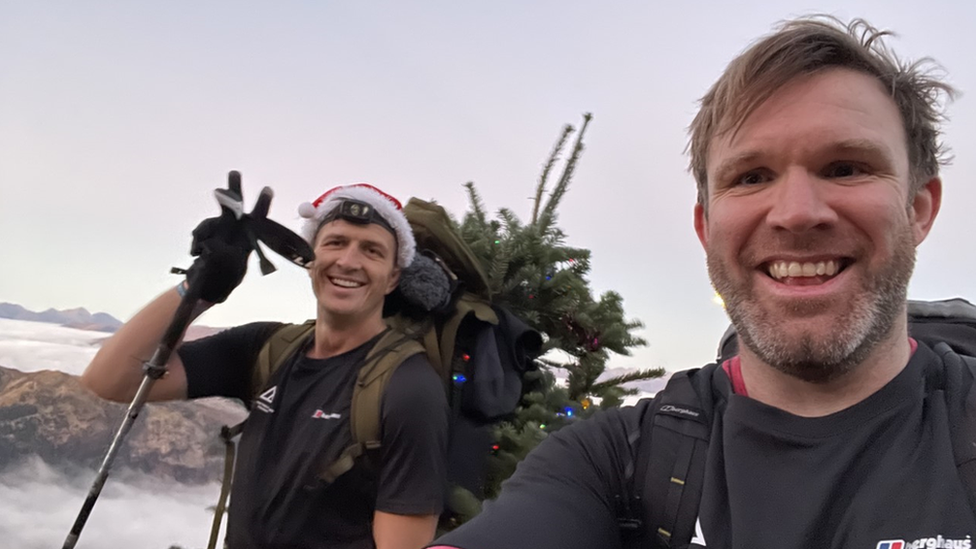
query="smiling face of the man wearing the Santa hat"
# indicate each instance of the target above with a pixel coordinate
(354, 270)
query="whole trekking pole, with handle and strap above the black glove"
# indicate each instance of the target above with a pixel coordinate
(258, 228)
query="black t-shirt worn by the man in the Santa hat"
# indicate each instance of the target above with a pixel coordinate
(299, 422)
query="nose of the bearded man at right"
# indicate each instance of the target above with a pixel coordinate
(799, 203)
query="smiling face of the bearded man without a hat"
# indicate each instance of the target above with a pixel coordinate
(808, 227)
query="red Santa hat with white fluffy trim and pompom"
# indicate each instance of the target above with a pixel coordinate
(384, 205)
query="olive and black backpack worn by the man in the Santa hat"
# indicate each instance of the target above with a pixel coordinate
(480, 350)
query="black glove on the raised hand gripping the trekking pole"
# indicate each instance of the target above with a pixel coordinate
(222, 247)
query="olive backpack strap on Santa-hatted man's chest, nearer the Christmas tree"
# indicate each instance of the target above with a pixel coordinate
(367, 399)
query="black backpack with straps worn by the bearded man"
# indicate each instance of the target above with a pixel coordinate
(665, 477)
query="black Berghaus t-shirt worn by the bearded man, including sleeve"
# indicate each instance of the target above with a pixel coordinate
(878, 475)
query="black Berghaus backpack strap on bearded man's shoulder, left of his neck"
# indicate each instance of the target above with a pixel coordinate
(670, 458)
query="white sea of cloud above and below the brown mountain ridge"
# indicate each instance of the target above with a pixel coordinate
(38, 504)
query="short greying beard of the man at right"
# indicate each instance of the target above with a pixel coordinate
(820, 357)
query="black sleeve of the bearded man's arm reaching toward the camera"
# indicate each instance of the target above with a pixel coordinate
(564, 495)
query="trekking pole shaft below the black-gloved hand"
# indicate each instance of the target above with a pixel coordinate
(154, 369)
